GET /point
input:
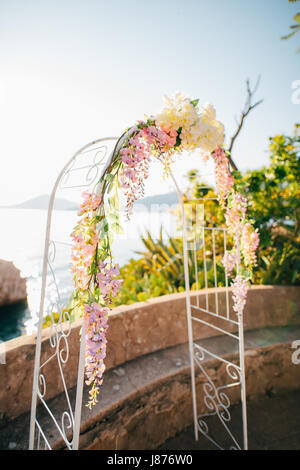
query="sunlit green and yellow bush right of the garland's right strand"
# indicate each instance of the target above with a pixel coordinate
(274, 205)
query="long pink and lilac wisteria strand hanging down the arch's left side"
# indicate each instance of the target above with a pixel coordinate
(92, 274)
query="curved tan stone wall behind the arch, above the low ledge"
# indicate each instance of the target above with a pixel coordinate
(134, 330)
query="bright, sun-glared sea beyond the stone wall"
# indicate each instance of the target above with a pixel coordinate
(22, 240)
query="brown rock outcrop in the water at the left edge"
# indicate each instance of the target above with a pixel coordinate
(12, 285)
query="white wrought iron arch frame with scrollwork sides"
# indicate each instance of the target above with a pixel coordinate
(215, 399)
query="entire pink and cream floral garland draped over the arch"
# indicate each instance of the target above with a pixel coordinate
(179, 126)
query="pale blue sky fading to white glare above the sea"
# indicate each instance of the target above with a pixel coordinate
(73, 71)
